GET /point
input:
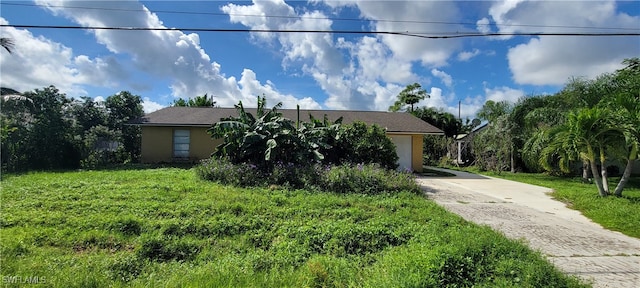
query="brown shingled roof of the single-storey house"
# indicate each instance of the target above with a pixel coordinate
(395, 122)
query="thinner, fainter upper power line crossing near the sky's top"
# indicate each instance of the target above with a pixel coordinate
(316, 18)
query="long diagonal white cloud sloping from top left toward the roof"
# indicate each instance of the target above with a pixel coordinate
(168, 54)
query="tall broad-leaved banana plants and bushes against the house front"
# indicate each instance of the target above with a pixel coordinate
(268, 138)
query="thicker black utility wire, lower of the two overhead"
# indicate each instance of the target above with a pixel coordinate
(410, 34)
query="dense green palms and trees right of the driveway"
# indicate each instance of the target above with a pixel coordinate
(590, 122)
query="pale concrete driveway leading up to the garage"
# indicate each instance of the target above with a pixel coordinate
(522, 211)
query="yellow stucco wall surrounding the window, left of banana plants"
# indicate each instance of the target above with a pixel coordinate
(157, 144)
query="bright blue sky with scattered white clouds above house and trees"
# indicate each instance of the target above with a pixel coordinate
(314, 70)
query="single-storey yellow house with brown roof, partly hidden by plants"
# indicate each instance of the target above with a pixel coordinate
(180, 133)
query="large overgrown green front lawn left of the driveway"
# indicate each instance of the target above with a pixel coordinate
(166, 228)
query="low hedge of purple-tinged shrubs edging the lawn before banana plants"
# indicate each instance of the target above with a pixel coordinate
(360, 179)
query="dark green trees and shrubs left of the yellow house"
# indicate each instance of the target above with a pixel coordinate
(44, 129)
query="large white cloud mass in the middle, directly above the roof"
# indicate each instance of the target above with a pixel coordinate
(364, 73)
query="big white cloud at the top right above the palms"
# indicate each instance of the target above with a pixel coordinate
(548, 60)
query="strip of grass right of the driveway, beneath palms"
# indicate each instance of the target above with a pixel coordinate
(620, 214)
